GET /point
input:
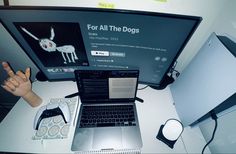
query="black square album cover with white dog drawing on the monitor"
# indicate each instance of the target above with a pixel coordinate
(55, 44)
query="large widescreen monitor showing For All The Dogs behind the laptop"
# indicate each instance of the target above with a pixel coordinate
(61, 39)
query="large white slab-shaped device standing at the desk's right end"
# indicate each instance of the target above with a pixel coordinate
(207, 81)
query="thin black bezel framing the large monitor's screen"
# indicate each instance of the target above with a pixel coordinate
(197, 20)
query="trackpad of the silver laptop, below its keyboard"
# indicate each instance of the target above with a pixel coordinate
(107, 138)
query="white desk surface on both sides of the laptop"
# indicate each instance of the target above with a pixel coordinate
(16, 130)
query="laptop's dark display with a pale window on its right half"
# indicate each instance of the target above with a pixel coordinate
(102, 86)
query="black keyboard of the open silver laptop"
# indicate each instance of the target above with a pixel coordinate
(107, 116)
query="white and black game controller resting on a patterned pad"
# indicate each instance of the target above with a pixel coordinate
(51, 110)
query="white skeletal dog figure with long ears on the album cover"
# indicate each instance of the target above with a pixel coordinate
(67, 51)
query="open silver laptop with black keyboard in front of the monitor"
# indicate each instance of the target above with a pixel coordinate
(107, 118)
